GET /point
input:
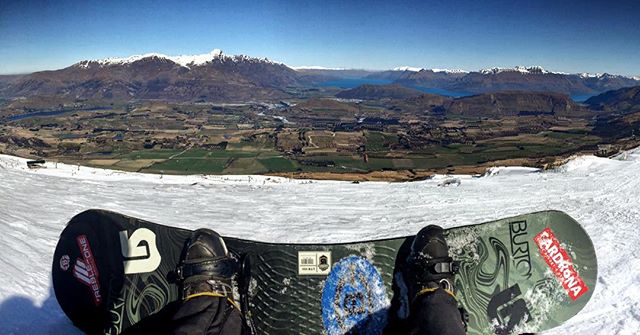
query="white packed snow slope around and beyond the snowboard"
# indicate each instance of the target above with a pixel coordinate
(602, 194)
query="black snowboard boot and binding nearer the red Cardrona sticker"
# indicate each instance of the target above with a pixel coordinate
(429, 266)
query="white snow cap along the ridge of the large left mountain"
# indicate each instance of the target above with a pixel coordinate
(182, 60)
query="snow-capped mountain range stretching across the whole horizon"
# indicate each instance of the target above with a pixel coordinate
(227, 78)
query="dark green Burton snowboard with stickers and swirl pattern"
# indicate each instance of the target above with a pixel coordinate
(522, 274)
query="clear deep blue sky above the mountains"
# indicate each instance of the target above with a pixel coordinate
(570, 36)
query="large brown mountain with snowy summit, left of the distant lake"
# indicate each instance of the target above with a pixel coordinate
(212, 76)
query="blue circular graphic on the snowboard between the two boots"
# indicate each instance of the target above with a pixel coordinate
(354, 298)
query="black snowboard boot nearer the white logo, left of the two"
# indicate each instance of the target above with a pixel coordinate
(206, 267)
